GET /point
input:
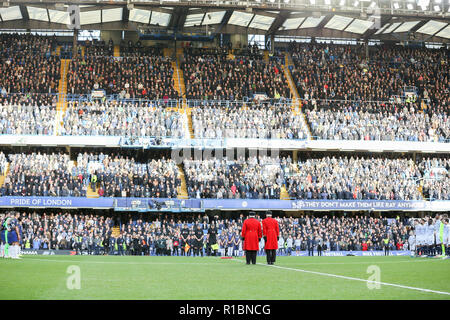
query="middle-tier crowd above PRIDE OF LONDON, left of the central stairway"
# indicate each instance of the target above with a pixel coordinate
(55, 175)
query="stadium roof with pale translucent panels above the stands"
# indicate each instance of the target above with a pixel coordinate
(375, 19)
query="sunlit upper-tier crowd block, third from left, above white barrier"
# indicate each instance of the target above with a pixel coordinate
(263, 121)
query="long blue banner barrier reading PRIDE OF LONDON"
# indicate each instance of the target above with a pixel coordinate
(166, 204)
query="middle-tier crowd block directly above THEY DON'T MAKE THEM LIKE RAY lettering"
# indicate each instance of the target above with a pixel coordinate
(353, 178)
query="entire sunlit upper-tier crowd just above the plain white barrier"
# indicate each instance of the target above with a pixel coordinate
(328, 120)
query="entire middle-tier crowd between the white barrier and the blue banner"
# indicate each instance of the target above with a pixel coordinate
(262, 177)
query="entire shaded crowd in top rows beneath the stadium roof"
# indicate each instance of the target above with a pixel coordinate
(321, 71)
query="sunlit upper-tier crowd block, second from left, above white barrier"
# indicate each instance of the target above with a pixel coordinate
(119, 118)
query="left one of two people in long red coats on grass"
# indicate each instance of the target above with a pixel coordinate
(251, 234)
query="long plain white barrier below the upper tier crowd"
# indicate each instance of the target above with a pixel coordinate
(175, 143)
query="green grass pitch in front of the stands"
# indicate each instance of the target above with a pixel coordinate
(114, 277)
